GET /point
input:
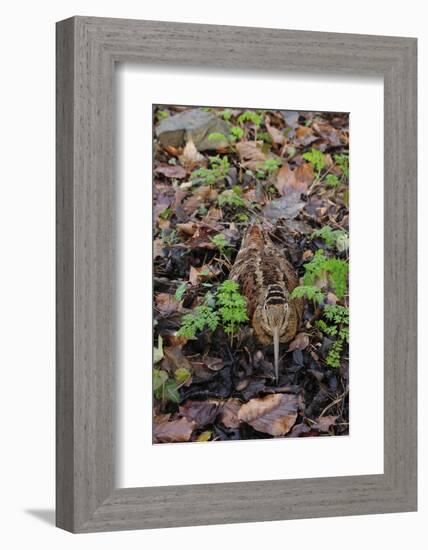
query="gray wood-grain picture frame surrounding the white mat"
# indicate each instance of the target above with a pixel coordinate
(87, 50)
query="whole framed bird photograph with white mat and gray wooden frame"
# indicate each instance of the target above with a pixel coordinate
(236, 274)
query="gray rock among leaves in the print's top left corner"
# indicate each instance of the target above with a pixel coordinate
(197, 124)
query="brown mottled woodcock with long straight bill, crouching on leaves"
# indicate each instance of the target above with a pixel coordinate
(266, 280)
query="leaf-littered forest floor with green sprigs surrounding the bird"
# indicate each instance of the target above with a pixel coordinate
(212, 379)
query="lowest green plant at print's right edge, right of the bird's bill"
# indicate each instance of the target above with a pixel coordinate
(337, 328)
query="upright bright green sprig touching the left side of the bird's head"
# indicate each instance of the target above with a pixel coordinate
(233, 306)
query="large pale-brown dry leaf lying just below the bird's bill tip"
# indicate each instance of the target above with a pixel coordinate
(274, 414)
